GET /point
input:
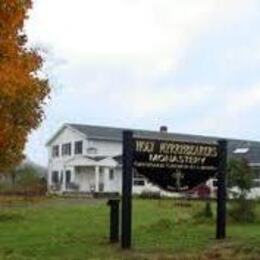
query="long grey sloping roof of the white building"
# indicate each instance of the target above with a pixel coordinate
(115, 134)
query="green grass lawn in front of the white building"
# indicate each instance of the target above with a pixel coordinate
(78, 229)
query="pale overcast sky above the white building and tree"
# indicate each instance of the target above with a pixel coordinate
(192, 65)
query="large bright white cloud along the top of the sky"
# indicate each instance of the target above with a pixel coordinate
(150, 34)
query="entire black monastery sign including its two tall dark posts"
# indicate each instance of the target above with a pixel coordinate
(175, 166)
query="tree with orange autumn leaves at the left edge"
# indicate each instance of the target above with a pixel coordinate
(22, 90)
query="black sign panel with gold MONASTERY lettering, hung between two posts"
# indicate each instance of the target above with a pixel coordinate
(175, 165)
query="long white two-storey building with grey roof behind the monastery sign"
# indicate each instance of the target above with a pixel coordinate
(88, 159)
